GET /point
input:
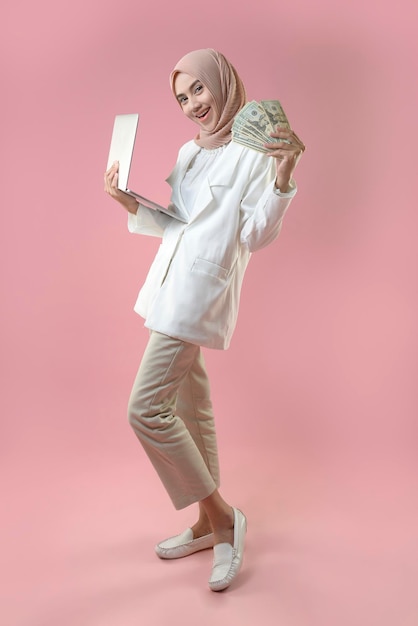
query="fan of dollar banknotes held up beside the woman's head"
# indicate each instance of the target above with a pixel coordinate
(255, 121)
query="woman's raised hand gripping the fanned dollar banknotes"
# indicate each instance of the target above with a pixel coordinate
(287, 151)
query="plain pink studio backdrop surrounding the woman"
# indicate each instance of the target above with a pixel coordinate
(316, 399)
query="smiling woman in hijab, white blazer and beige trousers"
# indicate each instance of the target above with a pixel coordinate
(234, 200)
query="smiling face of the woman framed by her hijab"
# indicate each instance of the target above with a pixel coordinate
(196, 101)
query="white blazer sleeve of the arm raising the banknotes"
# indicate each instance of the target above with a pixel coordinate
(262, 207)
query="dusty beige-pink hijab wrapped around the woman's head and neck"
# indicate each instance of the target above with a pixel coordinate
(223, 83)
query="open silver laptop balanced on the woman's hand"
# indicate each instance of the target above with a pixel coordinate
(121, 149)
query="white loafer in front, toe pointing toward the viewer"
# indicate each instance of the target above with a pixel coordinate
(227, 560)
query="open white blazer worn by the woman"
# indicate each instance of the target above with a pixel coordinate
(193, 287)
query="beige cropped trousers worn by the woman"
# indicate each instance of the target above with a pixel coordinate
(171, 413)
